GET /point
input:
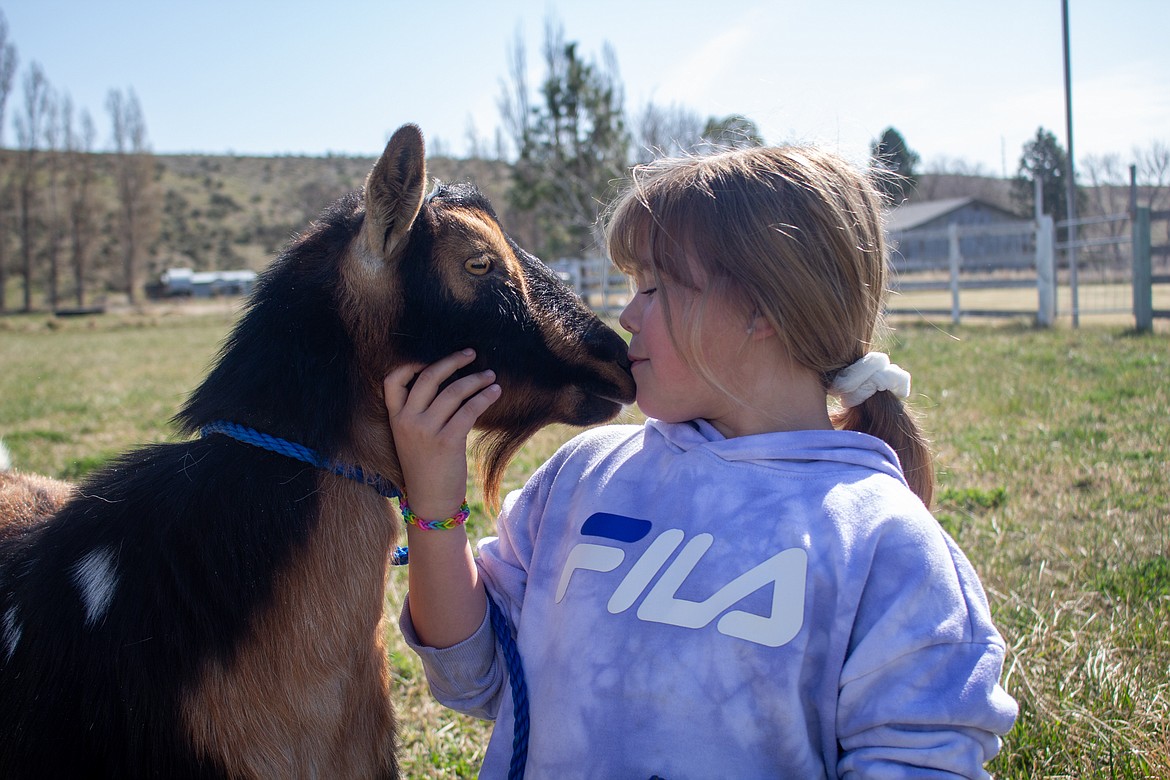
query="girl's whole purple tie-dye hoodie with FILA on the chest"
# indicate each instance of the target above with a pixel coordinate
(772, 606)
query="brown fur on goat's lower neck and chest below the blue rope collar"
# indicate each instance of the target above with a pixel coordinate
(308, 688)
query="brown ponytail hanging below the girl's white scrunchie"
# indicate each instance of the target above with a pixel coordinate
(887, 418)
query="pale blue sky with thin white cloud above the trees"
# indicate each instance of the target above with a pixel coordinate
(967, 84)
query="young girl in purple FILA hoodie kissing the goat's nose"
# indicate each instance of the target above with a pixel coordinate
(751, 585)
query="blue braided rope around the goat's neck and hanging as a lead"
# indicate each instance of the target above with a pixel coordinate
(401, 557)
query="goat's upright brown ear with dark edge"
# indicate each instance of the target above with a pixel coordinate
(395, 191)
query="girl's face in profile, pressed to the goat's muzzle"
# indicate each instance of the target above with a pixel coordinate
(669, 389)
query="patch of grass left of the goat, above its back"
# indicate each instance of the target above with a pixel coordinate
(77, 392)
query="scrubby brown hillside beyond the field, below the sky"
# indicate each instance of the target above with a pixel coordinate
(228, 213)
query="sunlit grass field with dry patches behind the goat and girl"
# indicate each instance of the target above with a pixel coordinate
(1052, 460)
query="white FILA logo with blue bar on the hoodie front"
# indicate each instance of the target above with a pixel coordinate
(786, 572)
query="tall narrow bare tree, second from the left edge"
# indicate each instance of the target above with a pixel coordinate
(30, 133)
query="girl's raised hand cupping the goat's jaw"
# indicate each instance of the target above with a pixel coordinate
(431, 430)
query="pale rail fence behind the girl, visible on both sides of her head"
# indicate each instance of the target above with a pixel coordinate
(1107, 271)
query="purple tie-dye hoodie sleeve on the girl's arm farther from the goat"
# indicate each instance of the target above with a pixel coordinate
(920, 692)
